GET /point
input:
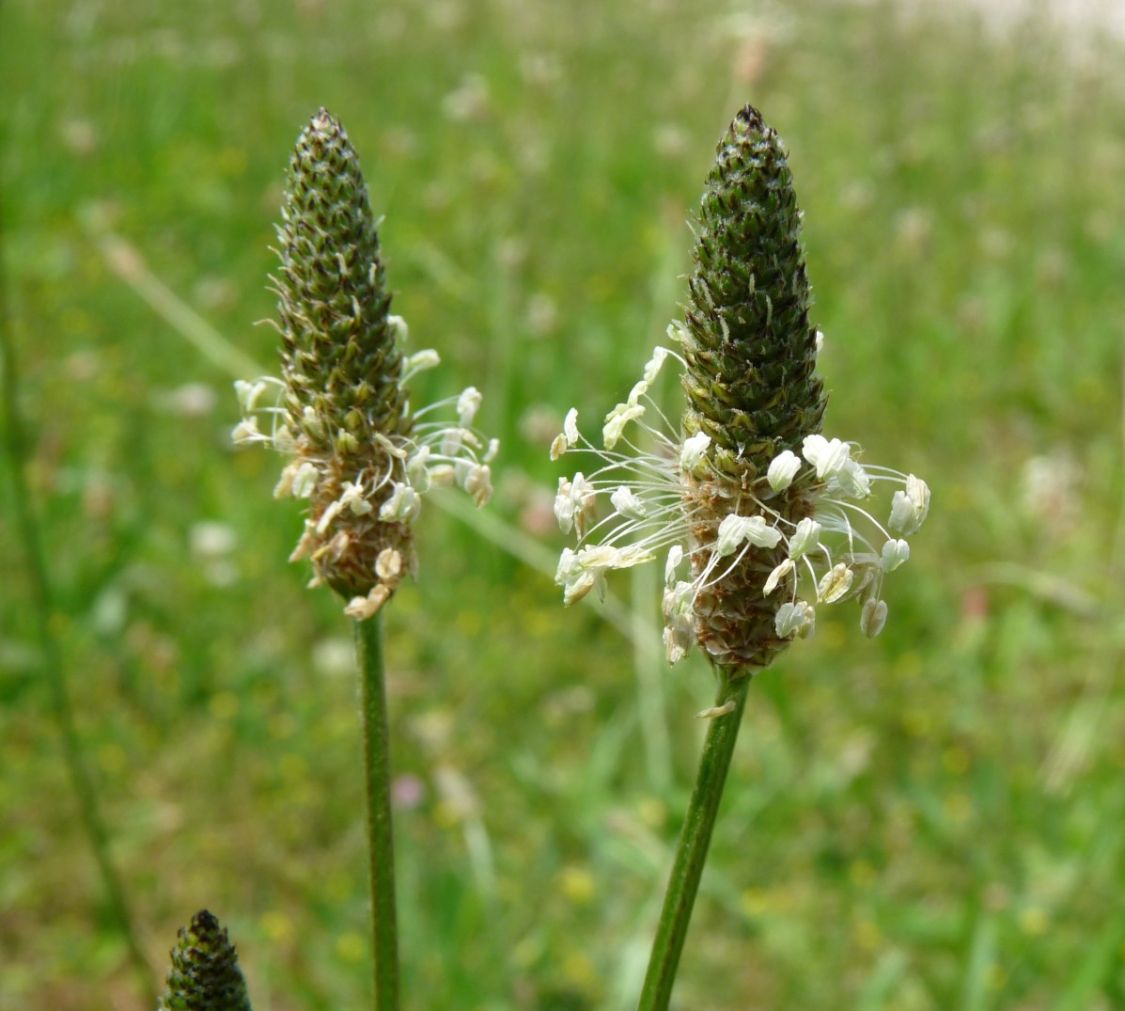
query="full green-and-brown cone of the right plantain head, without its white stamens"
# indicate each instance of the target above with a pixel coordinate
(751, 381)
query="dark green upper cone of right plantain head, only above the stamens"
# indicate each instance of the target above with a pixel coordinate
(751, 351)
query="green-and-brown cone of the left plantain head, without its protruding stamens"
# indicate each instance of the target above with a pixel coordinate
(343, 362)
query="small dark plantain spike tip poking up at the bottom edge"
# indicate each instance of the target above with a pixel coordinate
(205, 974)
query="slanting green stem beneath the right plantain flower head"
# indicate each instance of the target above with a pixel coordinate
(691, 853)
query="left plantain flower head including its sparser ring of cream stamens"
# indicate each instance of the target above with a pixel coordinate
(341, 412)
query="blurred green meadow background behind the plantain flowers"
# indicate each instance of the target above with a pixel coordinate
(935, 819)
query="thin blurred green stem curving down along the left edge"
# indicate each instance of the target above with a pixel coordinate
(82, 779)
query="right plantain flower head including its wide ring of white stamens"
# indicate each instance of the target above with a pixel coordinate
(761, 518)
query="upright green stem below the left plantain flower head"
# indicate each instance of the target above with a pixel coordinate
(380, 829)
